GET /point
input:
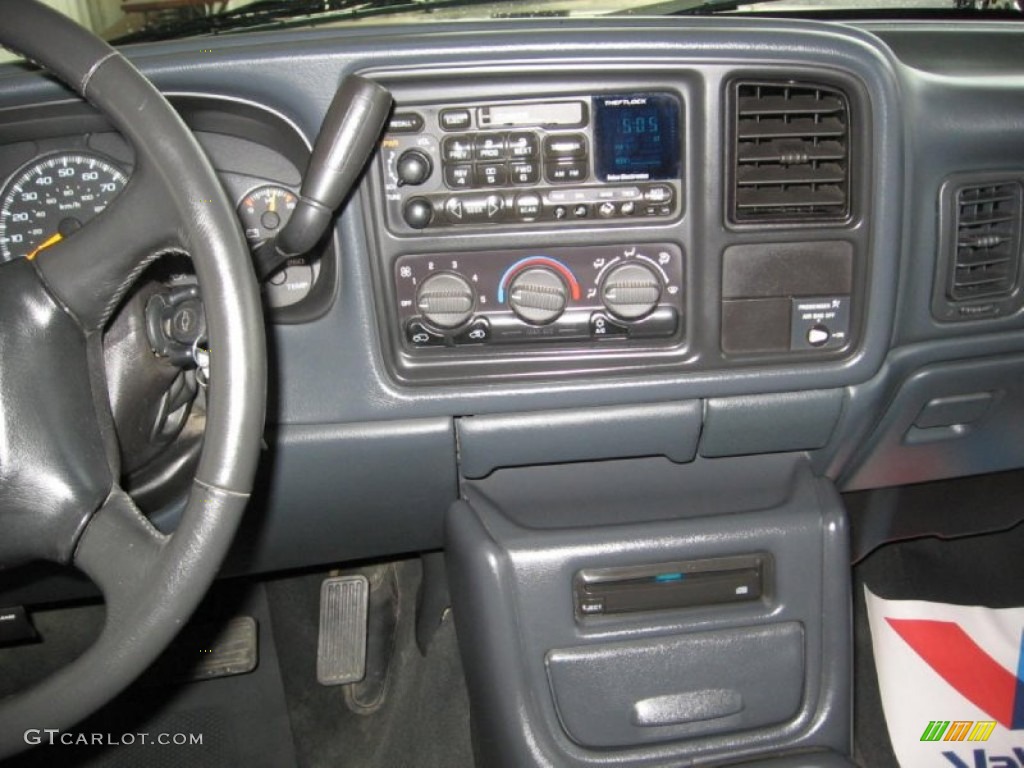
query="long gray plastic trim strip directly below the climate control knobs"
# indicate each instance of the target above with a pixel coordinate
(487, 443)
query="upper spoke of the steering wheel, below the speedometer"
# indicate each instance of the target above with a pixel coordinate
(92, 271)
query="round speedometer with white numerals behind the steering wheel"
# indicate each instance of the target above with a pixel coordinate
(48, 200)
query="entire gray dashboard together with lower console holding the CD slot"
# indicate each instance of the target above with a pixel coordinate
(616, 305)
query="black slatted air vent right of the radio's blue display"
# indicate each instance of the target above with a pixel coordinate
(792, 144)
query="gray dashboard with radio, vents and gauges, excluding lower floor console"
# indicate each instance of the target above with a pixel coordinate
(792, 237)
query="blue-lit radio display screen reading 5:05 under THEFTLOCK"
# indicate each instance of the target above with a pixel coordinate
(636, 138)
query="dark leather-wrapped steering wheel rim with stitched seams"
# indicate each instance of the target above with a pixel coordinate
(152, 582)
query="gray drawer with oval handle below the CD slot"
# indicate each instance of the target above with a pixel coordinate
(662, 690)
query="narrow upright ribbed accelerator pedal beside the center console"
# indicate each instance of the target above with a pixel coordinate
(342, 650)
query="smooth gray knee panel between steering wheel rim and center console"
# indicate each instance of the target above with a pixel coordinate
(329, 494)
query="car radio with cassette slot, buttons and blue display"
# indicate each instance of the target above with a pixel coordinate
(614, 158)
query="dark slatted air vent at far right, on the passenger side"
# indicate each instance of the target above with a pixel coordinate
(988, 242)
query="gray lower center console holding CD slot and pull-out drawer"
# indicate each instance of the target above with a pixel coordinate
(641, 613)
